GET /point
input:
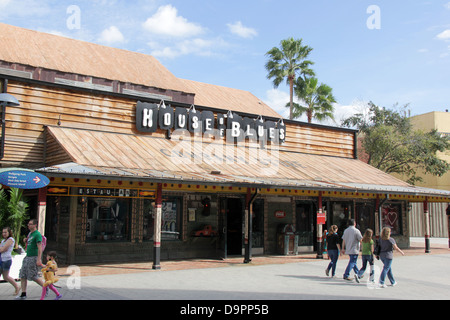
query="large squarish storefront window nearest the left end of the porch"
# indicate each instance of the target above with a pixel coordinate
(108, 219)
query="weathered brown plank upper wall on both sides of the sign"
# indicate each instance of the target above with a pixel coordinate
(46, 106)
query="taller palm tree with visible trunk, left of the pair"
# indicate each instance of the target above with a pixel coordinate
(286, 62)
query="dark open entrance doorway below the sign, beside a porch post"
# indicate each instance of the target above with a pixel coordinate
(230, 225)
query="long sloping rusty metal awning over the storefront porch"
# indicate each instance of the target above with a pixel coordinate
(183, 160)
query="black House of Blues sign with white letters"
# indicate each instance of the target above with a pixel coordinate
(150, 117)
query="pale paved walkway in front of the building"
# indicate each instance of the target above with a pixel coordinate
(419, 275)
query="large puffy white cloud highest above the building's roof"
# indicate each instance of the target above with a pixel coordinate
(167, 22)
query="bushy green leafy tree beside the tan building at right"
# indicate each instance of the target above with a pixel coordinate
(394, 147)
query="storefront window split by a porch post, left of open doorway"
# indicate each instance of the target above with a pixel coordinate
(171, 219)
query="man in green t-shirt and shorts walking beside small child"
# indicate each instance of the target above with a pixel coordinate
(33, 259)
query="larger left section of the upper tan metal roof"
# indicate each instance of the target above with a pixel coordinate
(53, 52)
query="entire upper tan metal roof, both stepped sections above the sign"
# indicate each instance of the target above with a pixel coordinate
(48, 51)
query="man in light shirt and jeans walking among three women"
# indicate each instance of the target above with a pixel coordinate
(351, 245)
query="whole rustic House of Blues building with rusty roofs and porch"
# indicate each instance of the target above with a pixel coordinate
(144, 165)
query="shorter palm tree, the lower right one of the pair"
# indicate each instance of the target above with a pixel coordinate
(318, 99)
